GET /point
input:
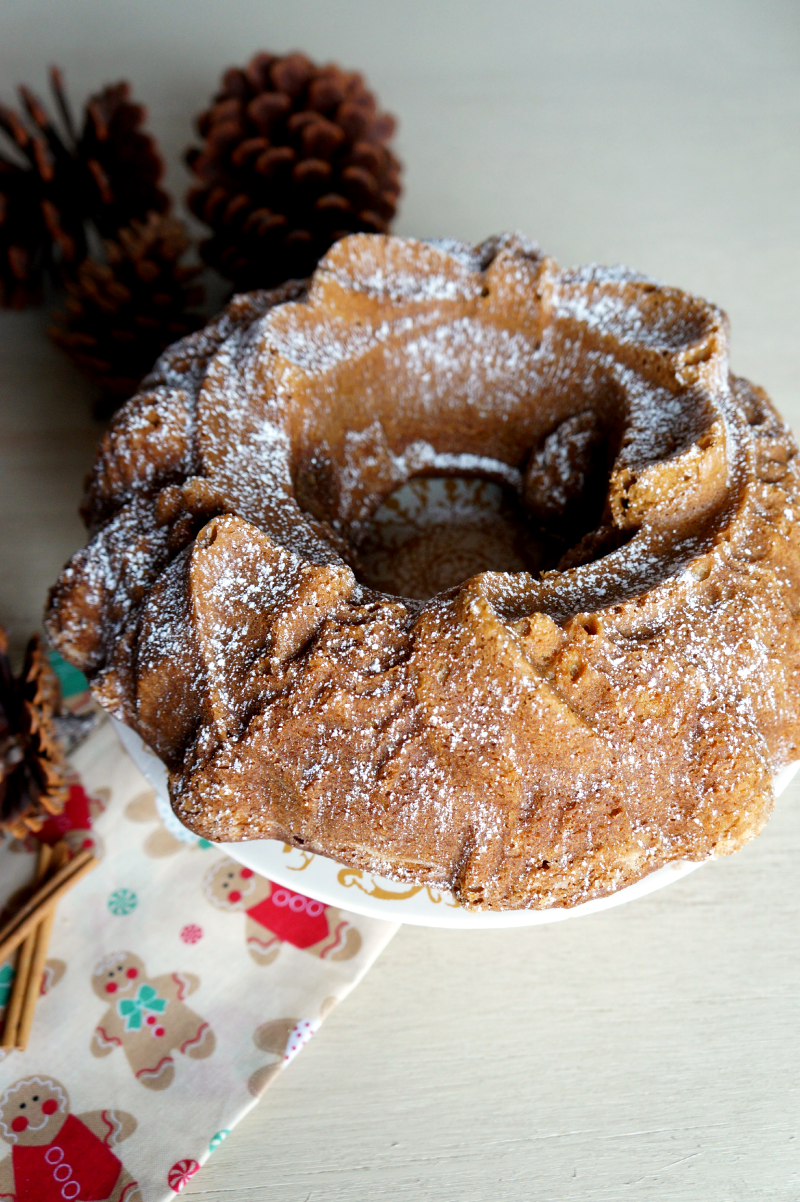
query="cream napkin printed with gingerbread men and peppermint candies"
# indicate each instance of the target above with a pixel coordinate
(178, 985)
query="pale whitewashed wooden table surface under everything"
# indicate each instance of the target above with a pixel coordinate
(654, 1052)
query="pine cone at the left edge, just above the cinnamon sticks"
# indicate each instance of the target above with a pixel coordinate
(33, 771)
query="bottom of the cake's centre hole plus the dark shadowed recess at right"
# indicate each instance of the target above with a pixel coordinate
(433, 533)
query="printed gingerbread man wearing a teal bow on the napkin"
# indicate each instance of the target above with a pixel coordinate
(148, 1019)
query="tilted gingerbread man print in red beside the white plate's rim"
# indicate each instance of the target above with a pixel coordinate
(277, 915)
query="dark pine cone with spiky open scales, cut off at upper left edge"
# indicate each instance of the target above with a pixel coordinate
(61, 183)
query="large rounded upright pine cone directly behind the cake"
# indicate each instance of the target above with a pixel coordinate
(295, 158)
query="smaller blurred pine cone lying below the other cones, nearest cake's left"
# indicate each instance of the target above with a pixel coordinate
(124, 312)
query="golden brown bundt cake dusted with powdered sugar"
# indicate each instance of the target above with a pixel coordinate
(523, 740)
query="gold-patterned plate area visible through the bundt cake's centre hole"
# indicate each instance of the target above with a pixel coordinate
(434, 533)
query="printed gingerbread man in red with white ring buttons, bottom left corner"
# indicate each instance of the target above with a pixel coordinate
(59, 1157)
